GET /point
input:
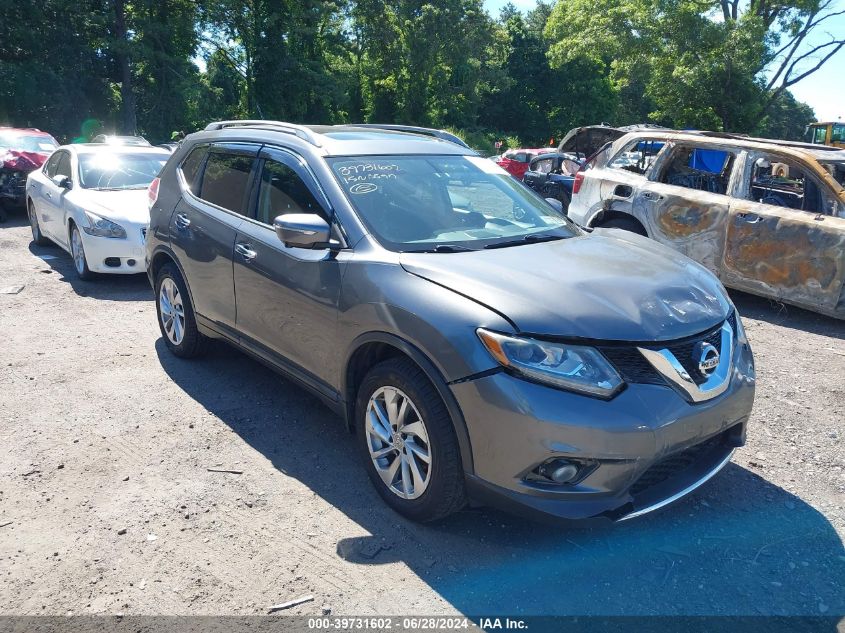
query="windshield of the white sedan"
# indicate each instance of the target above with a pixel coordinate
(119, 170)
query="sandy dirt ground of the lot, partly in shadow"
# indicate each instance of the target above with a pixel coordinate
(107, 504)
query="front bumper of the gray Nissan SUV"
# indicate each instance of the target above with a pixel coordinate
(646, 447)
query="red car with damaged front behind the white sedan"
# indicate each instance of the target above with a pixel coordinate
(21, 151)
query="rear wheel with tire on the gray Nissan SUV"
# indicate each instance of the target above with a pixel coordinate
(176, 318)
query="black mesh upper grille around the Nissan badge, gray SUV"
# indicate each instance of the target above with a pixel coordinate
(634, 368)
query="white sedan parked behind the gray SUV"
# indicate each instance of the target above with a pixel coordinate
(91, 200)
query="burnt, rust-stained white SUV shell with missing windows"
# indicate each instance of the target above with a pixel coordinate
(767, 217)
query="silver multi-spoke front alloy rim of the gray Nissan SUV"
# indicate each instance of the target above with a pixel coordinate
(398, 443)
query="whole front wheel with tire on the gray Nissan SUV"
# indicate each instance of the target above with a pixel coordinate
(408, 442)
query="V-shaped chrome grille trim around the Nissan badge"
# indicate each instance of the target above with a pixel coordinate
(668, 366)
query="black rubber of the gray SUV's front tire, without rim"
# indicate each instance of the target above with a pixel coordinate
(445, 492)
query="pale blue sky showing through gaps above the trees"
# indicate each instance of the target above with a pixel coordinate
(824, 90)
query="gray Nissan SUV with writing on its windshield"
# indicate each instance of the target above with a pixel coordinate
(483, 347)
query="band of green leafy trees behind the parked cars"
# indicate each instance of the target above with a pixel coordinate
(158, 66)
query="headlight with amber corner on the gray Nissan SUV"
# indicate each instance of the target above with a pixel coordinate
(573, 367)
